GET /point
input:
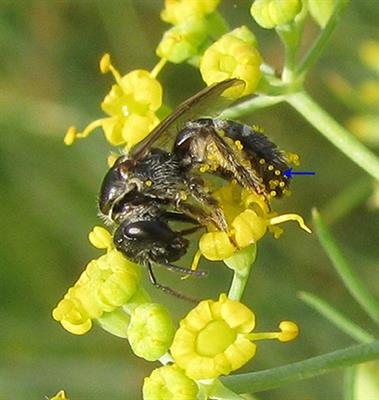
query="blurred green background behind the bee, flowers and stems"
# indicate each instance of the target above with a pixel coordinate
(49, 80)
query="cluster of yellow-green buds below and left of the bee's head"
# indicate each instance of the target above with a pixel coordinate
(109, 292)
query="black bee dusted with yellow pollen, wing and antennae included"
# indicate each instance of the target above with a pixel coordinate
(160, 181)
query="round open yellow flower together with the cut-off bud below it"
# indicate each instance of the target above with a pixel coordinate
(214, 339)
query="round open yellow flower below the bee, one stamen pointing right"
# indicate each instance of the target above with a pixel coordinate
(215, 338)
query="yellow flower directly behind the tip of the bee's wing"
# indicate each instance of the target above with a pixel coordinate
(234, 55)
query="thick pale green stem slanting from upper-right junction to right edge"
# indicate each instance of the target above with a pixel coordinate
(334, 132)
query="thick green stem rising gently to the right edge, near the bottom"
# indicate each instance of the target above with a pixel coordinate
(315, 366)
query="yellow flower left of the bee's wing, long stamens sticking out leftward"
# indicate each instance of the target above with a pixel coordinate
(131, 105)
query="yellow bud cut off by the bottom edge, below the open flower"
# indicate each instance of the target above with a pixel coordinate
(169, 383)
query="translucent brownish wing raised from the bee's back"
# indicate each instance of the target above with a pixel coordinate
(208, 102)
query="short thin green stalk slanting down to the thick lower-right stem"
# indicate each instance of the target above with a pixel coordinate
(336, 318)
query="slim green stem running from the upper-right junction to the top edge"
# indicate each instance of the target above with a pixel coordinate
(320, 43)
